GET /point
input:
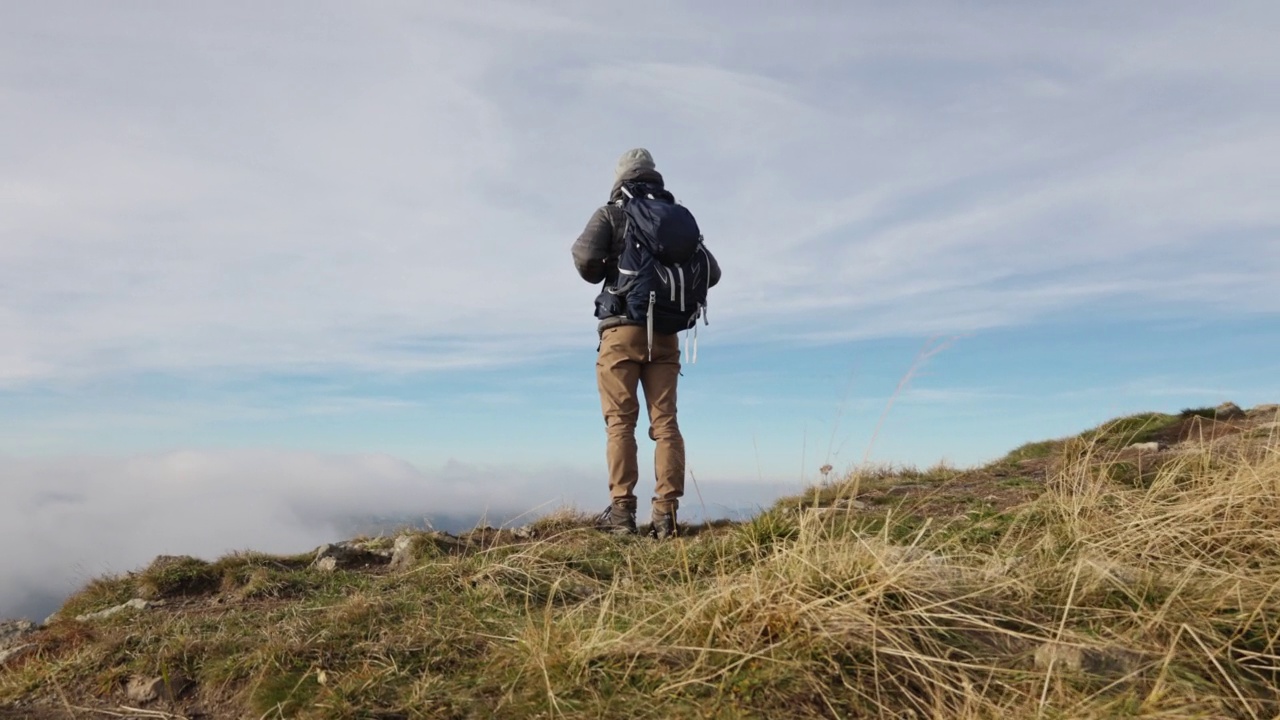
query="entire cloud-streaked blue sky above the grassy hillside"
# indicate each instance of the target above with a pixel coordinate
(313, 258)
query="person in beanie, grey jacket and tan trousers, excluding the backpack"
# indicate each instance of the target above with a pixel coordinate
(627, 361)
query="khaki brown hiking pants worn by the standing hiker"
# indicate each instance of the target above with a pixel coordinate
(624, 362)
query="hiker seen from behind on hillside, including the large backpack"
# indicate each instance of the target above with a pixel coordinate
(648, 253)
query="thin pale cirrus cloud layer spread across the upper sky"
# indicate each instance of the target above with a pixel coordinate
(191, 192)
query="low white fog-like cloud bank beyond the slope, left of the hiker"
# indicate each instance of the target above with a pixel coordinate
(76, 518)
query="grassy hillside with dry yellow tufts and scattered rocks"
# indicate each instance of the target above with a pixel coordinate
(1075, 578)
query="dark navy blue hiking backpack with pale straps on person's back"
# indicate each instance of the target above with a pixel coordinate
(664, 274)
